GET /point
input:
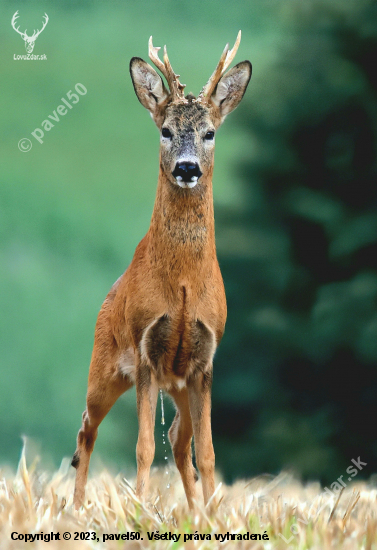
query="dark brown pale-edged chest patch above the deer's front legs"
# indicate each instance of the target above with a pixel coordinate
(175, 351)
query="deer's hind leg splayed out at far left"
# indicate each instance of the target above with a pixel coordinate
(104, 388)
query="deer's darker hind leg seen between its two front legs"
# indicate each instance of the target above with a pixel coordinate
(180, 436)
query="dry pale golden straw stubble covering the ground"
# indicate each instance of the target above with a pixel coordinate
(33, 502)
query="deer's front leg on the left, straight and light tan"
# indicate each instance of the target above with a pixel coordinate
(146, 398)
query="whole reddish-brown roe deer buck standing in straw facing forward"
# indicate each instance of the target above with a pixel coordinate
(164, 317)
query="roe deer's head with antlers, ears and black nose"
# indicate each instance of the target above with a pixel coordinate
(188, 124)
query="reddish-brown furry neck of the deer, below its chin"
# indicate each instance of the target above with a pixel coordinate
(182, 230)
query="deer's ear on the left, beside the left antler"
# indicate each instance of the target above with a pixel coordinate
(149, 87)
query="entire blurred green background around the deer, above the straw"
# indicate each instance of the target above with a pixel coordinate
(295, 378)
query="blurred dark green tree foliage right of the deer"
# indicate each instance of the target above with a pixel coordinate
(297, 372)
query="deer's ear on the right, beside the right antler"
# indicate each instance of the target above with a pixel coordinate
(231, 88)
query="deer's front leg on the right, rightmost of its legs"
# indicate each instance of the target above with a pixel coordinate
(199, 390)
